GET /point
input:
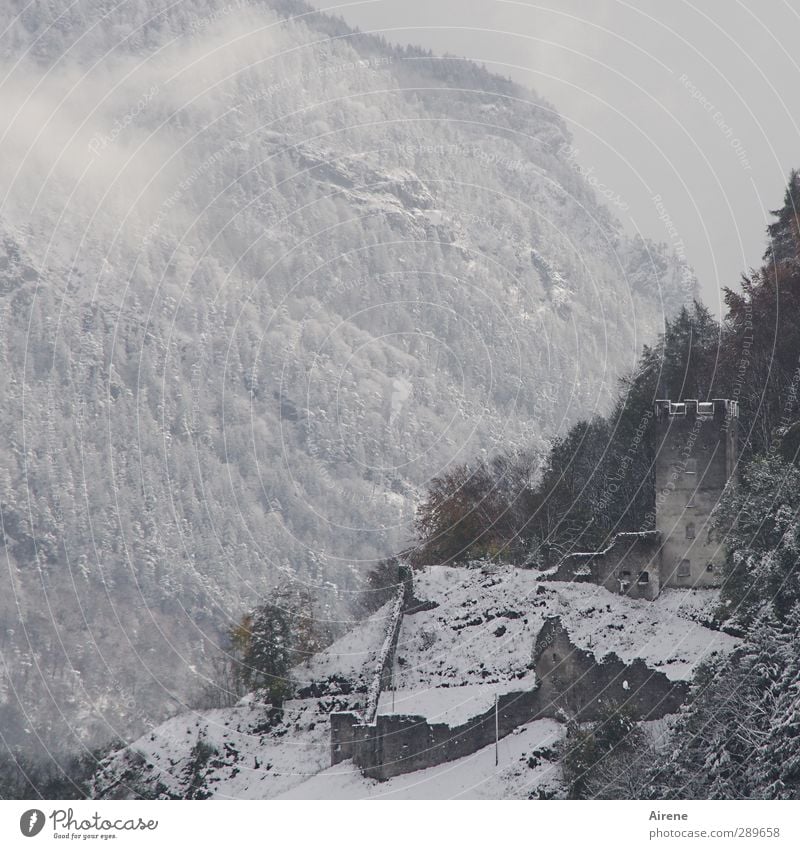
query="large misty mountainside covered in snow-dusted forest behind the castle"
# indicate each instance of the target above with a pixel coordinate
(260, 278)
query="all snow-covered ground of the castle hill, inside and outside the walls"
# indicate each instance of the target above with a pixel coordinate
(471, 638)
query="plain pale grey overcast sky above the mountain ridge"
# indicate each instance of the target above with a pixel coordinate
(694, 102)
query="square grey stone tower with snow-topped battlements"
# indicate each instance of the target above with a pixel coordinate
(696, 452)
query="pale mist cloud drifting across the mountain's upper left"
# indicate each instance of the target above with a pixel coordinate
(92, 147)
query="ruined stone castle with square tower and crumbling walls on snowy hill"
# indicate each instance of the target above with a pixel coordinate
(695, 445)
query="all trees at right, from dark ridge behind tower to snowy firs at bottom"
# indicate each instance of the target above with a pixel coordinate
(739, 736)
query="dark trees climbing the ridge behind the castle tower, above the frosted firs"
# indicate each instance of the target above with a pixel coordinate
(598, 478)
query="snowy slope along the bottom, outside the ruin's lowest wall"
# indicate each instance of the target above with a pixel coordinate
(243, 753)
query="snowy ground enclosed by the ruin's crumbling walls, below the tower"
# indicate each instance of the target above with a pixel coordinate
(479, 639)
